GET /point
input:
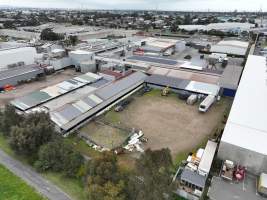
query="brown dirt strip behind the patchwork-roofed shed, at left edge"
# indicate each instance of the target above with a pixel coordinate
(26, 88)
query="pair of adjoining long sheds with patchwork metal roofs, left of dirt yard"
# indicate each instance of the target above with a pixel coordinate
(73, 102)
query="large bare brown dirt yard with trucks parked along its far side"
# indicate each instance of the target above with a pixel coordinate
(168, 121)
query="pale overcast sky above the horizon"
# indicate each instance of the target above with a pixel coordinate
(198, 5)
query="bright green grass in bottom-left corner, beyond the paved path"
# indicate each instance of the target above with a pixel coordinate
(13, 188)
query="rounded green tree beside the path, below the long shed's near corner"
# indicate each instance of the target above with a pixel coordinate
(59, 156)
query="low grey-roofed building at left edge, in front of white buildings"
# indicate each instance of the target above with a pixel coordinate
(16, 75)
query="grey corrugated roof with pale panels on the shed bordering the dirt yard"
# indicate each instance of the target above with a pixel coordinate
(93, 103)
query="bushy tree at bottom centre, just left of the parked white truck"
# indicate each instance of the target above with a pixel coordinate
(152, 181)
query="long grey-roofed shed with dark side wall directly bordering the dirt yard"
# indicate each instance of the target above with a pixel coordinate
(73, 115)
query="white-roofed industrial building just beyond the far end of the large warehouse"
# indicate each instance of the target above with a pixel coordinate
(231, 48)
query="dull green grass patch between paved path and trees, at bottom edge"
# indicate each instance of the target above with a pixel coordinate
(73, 187)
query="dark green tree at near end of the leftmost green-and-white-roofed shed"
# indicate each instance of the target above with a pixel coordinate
(34, 131)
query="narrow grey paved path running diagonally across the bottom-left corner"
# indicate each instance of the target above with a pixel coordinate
(46, 188)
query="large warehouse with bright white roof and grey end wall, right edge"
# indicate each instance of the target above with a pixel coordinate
(244, 140)
